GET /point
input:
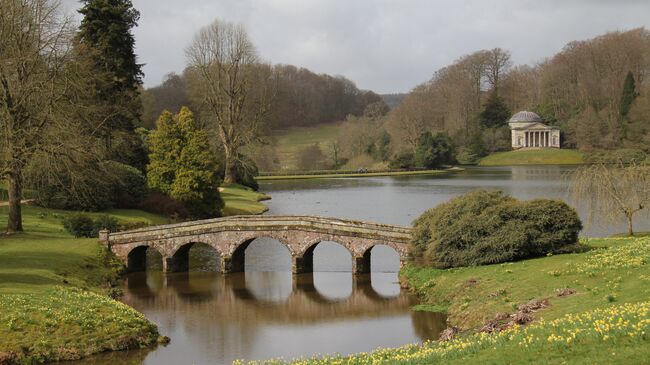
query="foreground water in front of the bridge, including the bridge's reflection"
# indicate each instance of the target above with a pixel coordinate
(214, 318)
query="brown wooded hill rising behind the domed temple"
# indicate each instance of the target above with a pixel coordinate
(595, 90)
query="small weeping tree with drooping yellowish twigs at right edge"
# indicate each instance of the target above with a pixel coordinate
(612, 193)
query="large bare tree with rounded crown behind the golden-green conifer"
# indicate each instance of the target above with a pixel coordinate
(232, 86)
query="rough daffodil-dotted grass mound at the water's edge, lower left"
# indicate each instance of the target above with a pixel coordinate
(66, 323)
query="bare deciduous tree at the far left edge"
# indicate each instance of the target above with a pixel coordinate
(34, 47)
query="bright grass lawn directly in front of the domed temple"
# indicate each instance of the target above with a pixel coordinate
(546, 156)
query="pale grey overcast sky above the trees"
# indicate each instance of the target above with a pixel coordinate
(383, 45)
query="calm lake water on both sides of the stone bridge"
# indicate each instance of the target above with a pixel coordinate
(267, 313)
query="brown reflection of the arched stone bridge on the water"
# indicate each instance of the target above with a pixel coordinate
(221, 298)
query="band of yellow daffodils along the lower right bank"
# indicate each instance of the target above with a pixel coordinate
(620, 326)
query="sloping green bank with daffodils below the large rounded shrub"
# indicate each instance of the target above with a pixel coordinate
(595, 310)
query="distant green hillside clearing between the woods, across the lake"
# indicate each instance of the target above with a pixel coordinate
(289, 142)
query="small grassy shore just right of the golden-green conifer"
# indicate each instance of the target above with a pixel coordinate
(241, 200)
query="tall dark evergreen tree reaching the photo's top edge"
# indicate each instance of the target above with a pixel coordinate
(105, 46)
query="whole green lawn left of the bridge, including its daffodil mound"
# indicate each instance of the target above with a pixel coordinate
(53, 293)
